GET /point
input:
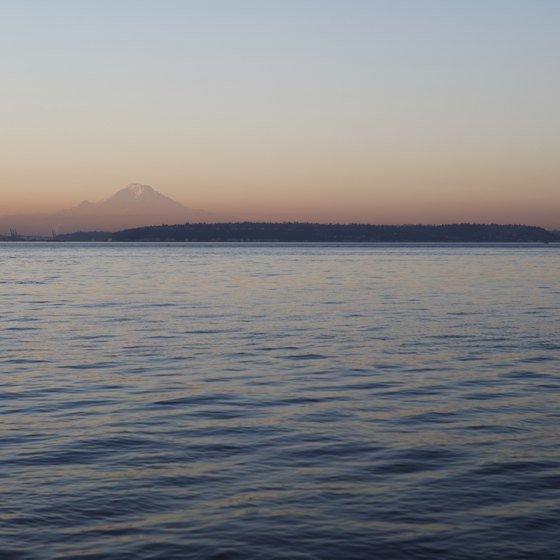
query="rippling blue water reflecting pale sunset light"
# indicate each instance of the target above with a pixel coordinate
(254, 401)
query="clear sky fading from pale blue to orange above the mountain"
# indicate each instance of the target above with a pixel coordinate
(417, 111)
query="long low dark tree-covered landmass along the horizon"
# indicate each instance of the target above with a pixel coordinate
(311, 232)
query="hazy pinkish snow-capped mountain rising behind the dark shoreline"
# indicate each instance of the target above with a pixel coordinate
(135, 205)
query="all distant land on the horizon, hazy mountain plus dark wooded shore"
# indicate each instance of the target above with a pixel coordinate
(140, 213)
